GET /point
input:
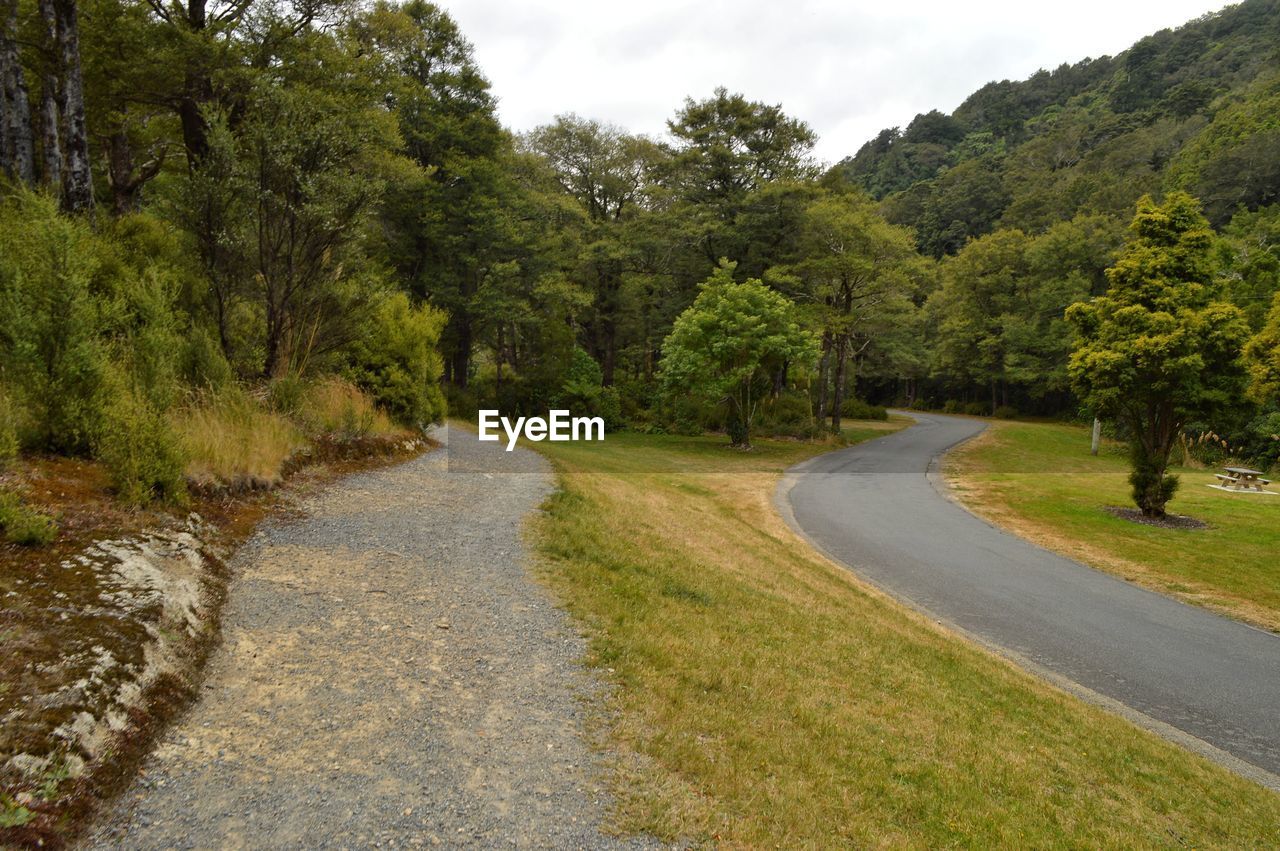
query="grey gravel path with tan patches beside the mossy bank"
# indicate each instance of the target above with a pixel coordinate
(390, 678)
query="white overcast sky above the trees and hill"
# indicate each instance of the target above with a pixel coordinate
(848, 68)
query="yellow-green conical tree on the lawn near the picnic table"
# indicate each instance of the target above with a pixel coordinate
(1159, 349)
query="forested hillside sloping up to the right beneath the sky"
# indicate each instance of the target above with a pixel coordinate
(1194, 108)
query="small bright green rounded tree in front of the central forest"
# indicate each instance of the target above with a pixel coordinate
(729, 345)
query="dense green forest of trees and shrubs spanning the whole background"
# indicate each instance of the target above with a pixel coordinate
(243, 218)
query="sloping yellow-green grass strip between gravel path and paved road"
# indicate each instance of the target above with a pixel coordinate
(765, 698)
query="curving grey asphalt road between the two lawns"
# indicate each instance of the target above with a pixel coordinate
(874, 509)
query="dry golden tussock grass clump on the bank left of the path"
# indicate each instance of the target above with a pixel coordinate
(228, 440)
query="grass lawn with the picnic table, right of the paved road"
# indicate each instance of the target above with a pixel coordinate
(1040, 482)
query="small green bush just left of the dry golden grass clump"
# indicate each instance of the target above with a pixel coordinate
(143, 454)
